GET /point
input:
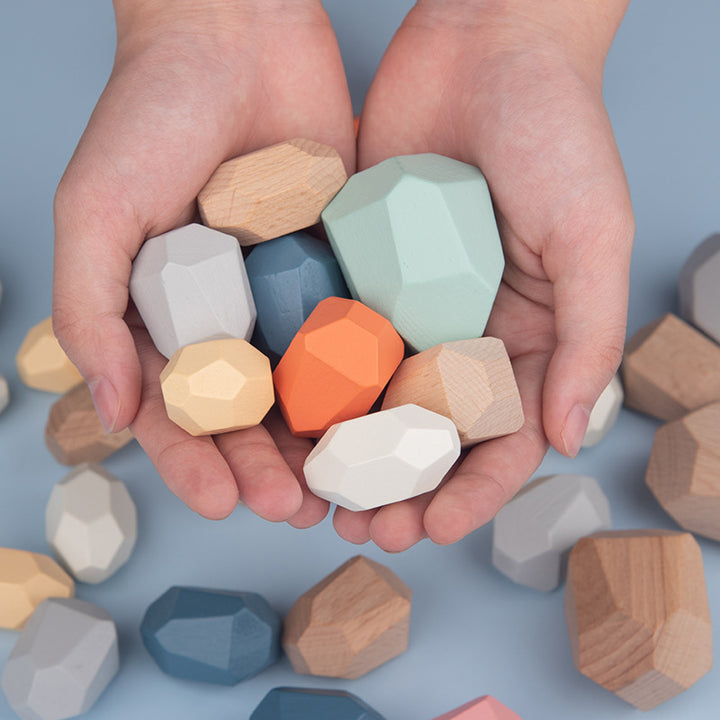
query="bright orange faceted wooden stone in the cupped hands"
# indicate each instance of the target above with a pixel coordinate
(336, 366)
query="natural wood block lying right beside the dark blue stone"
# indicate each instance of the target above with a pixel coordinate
(351, 622)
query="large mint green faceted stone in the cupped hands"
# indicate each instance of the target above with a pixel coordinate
(416, 240)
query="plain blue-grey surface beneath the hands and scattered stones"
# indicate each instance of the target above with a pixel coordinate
(473, 631)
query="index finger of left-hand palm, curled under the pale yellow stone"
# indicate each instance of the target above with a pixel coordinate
(191, 467)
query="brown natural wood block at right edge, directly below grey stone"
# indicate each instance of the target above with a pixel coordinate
(670, 368)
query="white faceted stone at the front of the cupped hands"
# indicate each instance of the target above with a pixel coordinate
(382, 458)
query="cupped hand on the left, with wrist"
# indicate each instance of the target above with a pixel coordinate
(193, 84)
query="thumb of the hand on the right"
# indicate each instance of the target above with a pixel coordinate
(590, 293)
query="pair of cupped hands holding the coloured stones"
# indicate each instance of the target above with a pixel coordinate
(197, 83)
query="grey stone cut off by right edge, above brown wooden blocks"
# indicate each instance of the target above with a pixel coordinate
(699, 287)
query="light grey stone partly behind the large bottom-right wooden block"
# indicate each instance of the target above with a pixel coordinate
(534, 533)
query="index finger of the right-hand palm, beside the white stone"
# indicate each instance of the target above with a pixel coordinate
(493, 471)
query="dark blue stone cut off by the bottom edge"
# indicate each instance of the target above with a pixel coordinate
(306, 704)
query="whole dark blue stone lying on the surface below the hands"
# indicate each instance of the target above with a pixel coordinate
(212, 636)
